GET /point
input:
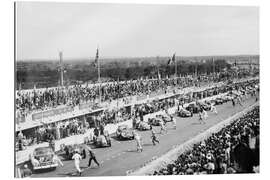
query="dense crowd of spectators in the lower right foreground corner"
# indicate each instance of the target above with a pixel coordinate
(234, 149)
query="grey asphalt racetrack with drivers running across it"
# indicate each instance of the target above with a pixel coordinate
(122, 156)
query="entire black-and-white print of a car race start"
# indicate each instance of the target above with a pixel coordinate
(115, 89)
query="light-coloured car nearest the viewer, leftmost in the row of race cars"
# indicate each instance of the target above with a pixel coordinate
(43, 158)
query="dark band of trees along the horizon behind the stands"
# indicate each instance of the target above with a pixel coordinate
(46, 74)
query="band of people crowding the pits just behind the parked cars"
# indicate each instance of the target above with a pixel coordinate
(79, 125)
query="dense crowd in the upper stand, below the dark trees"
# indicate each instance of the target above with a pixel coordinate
(43, 99)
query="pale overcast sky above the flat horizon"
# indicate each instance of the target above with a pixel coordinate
(124, 30)
